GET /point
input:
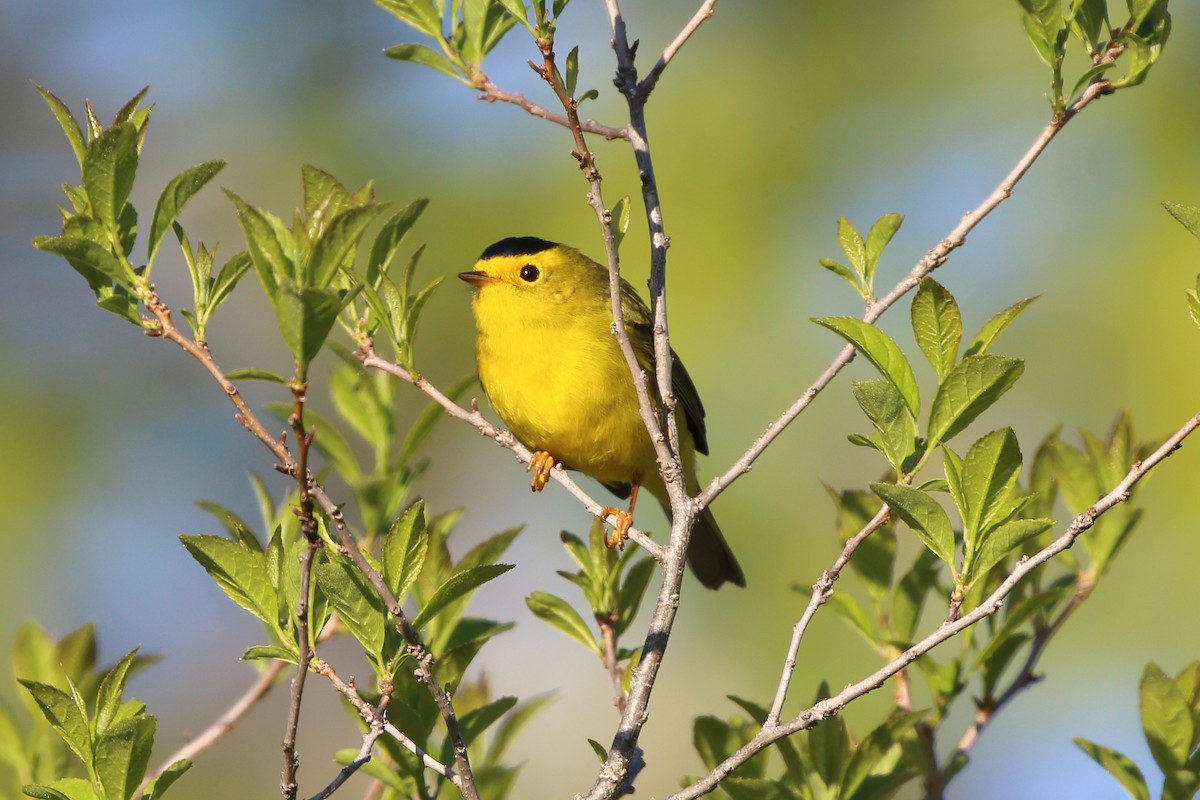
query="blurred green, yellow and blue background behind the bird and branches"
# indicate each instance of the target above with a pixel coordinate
(775, 121)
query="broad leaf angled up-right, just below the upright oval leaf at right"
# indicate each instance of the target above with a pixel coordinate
(968, 392)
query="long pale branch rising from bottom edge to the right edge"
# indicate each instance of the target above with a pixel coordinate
(772, 733)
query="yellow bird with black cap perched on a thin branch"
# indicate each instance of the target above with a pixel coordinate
(557, 377)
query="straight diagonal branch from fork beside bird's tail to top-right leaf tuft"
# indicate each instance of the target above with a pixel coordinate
(931, 262)
